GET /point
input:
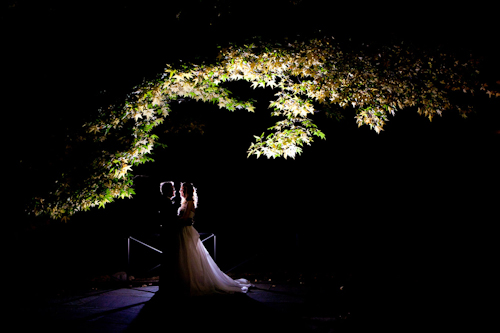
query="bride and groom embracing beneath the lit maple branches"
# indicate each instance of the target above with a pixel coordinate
(188, 268)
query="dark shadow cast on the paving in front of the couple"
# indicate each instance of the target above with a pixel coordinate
(224, 313)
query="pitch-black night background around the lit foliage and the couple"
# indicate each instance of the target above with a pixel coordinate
(432, 214)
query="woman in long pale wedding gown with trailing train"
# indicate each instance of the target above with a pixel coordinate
(197, 272)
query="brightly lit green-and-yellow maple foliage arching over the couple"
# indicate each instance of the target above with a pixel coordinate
(320, 73)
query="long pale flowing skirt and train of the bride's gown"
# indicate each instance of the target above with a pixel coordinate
(198, 273)
